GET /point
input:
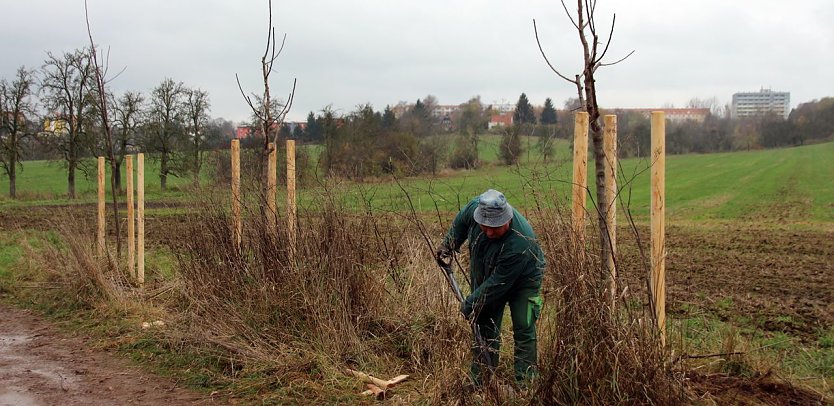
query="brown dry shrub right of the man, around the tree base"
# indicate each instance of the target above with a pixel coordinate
(591, 354)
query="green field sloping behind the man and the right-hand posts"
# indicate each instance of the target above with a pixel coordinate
(792, 184)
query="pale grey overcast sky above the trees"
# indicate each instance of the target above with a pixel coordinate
(346, 53)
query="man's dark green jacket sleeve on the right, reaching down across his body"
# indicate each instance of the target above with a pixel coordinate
(507, 270)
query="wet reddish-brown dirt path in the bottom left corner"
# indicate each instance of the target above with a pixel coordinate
(39, 366)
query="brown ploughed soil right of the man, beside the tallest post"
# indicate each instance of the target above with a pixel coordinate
(778, 280)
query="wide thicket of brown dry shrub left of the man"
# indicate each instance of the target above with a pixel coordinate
(361, 291)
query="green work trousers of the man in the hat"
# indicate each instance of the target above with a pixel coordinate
(525, 305)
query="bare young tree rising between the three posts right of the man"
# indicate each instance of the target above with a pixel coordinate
(585, 24)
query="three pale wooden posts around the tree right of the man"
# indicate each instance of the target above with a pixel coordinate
(658, 202)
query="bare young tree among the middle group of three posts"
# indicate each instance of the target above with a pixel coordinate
(268, 117)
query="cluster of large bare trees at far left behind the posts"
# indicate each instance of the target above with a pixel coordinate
(50, 113)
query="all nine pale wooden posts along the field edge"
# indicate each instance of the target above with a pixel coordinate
(136, 249)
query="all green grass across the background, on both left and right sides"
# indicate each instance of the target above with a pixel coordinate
(791, 184)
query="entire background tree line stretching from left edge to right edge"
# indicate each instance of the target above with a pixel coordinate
(49, 113)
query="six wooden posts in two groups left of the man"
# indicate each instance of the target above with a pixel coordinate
(136, 236)
